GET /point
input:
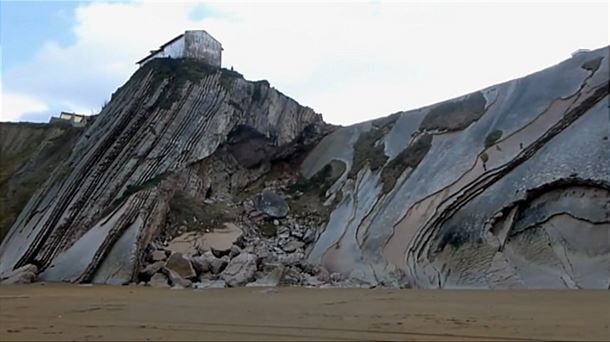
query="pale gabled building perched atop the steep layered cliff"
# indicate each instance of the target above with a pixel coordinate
(191, 44)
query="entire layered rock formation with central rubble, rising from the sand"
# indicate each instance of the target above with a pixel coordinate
(192, 176)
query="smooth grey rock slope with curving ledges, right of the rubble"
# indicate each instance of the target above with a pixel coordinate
(505, 187)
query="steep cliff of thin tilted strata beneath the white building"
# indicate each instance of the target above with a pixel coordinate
(148, 145)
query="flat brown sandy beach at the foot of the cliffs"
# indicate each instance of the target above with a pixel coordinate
(66, 312)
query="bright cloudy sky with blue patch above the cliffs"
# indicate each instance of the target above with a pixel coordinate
(350, 61)
